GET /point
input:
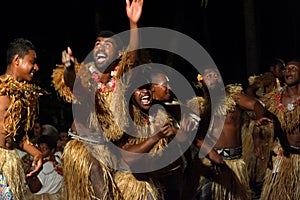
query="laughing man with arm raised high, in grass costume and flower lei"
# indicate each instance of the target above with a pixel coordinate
(76, 82)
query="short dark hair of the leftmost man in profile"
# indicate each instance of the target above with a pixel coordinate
(19, 46)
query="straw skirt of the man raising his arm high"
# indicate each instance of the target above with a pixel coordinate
(77, 163)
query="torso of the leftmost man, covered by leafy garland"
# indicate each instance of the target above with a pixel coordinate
(18, 107)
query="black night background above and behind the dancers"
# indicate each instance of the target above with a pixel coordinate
(220, 28)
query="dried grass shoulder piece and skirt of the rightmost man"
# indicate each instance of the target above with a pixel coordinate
(283, 179)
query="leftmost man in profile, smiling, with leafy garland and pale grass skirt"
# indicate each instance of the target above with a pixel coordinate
(18, 110)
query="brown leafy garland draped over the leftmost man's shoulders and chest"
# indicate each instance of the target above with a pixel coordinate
(23, 95)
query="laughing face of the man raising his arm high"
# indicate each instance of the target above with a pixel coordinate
(105, 52)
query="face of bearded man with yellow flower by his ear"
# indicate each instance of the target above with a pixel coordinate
(212, 78)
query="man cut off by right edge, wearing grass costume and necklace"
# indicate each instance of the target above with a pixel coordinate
(285, 104)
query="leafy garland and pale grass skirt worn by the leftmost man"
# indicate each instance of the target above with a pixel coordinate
(18, 120)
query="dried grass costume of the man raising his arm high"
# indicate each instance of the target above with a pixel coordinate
(89, 148)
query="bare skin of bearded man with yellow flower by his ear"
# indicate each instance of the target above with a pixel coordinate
(229, 134)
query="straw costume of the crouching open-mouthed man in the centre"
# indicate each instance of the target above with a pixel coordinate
(141, 186)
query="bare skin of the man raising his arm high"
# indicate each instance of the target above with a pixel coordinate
(105, 51)
